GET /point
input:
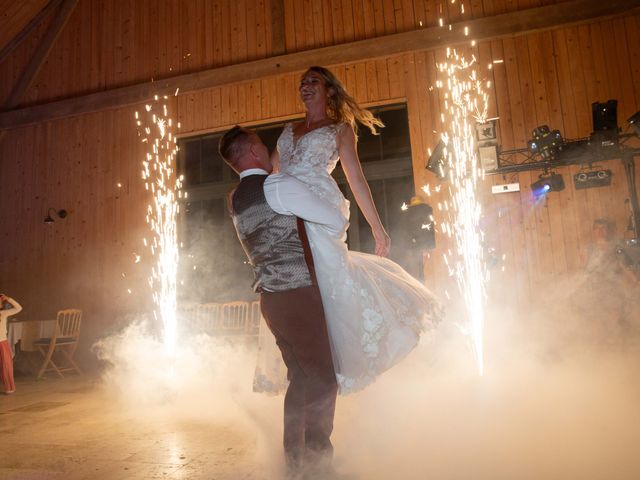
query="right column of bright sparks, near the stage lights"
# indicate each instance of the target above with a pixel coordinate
(465, 105)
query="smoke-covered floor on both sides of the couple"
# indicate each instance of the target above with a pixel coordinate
(543, 410)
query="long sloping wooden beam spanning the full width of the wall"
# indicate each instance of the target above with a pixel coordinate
(508, 24)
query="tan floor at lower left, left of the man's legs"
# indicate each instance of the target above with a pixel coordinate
(68, 429)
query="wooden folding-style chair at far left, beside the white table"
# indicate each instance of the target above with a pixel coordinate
(64, 339)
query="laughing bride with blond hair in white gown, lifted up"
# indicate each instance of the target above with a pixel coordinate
(375, 311)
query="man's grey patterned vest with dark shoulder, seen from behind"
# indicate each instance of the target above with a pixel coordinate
(271, 241)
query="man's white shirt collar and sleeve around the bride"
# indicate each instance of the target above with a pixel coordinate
(287, 195)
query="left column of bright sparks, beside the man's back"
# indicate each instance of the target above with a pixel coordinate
(161, 179)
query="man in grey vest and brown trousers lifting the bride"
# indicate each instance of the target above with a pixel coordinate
(268, 213)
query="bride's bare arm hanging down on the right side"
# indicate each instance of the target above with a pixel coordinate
(360, 188)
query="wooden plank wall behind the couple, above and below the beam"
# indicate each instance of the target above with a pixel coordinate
(76, 163)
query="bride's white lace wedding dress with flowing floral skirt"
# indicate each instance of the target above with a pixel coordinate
(375, 310)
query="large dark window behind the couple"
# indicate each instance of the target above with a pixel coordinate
(213, 265)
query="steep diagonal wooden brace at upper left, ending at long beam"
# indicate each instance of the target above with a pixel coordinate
(40, 55)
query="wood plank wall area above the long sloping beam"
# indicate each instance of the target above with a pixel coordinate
(112, 43)
